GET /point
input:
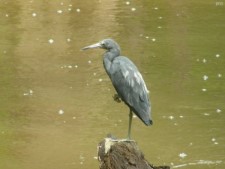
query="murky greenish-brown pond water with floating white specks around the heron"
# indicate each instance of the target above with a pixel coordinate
(56, 101)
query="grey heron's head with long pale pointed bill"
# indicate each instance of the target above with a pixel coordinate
(107, 44)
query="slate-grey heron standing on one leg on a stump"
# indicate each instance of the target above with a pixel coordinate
(127, 81)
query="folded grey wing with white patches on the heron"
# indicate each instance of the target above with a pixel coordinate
(131, 87)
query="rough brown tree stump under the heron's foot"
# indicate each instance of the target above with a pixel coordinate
(122, 154)
